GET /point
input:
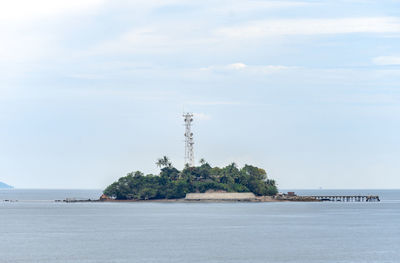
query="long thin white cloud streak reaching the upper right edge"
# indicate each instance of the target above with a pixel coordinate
(276, 27)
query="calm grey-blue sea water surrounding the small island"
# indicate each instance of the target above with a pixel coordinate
(44, 231)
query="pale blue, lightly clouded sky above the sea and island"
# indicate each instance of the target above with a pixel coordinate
(93, 89)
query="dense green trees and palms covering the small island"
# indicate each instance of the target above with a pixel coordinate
(172, 183)
